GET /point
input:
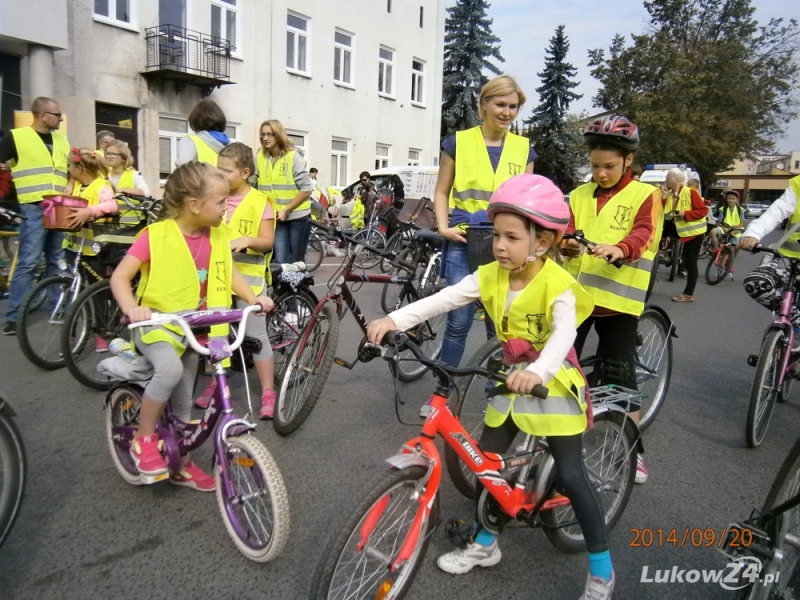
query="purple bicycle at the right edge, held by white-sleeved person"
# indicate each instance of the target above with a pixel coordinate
(776, 364)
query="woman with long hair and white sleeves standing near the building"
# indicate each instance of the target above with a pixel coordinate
(282, 175)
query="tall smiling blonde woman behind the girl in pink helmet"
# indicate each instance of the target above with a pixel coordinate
(473, 163)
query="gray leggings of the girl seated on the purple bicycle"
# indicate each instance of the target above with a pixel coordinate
(174, 376)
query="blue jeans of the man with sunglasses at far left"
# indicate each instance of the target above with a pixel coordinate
(34, 239)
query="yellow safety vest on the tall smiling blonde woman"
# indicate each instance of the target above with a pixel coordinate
(475, 180)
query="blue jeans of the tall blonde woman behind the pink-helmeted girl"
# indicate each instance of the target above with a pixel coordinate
(459, 320)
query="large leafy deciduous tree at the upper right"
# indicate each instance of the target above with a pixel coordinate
(706, 83)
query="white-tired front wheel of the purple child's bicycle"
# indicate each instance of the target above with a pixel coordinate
(256, 515)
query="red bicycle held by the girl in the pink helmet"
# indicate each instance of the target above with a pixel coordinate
(377, 551)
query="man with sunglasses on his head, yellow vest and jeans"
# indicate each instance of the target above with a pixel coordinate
(38, 158)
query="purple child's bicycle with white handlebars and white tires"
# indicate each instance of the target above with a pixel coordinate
(251, 495)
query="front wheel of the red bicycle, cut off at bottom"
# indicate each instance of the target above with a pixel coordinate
(356, 561)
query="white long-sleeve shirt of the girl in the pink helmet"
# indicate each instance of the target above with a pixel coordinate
(564, 328)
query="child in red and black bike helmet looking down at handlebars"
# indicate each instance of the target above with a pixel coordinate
(616, 213)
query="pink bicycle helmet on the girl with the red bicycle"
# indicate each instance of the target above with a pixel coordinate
(534, 197)
